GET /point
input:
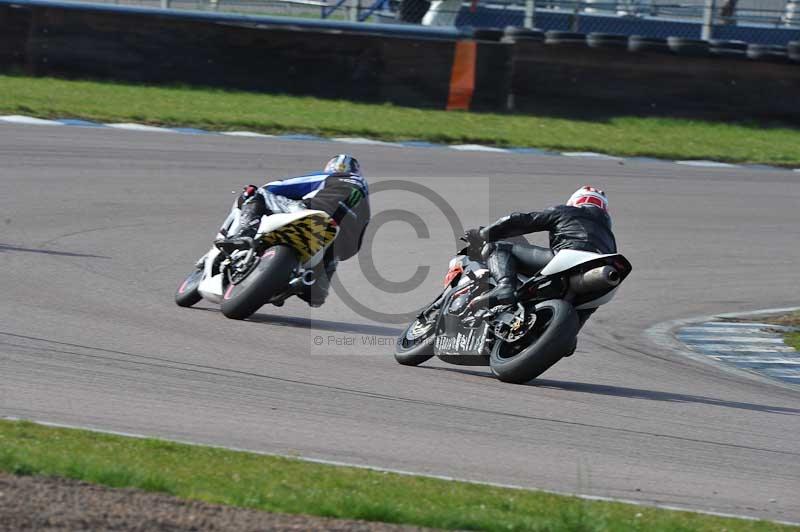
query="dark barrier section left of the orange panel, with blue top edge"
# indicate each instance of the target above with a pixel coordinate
(412, 66)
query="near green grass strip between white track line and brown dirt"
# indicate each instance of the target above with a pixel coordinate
(294, 486)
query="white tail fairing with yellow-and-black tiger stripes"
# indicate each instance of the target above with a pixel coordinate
(306, 231)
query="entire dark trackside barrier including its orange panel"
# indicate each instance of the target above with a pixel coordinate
(406, 65)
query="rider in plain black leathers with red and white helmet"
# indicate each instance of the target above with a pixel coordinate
(582, 224)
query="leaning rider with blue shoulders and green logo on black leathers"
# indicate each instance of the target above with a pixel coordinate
(339, 190)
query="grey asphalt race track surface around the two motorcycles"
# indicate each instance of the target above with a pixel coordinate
(99, 226)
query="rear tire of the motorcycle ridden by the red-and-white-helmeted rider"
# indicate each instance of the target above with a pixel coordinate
(550, 346)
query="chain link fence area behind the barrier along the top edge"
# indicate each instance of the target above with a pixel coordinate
(758, 21)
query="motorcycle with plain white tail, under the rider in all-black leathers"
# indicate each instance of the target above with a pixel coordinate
(520, 341)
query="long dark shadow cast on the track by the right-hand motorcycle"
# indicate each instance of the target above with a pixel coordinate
(636, 393)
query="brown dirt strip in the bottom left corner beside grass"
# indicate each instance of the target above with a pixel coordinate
(57, 504)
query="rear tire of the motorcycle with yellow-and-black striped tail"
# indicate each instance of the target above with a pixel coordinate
(268, 278)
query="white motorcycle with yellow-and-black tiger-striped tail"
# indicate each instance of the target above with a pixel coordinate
(243, 274)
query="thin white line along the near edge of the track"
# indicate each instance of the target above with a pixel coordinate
(406, 472)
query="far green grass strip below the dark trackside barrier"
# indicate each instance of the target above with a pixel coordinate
(229, 110)
